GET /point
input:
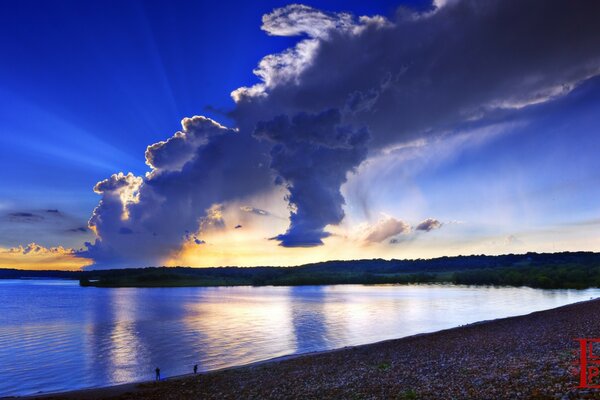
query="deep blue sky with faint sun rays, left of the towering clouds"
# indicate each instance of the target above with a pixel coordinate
(86, 86)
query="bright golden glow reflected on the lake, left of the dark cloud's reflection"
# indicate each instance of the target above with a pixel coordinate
(240, 325)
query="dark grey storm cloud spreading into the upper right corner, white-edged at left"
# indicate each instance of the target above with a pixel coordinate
(417, 74)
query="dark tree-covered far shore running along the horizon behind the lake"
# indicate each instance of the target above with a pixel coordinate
(577, 270)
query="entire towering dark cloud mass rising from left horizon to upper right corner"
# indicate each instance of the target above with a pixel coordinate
(401, 79)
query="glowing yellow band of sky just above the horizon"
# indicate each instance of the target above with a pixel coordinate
(248, 245)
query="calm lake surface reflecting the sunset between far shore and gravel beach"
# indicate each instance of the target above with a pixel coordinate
(55, 335)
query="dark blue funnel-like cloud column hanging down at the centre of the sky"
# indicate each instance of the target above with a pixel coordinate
(312, 153)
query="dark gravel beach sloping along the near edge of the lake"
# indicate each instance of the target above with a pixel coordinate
(526, 357)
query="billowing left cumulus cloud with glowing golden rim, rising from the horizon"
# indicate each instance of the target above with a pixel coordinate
(192, 173)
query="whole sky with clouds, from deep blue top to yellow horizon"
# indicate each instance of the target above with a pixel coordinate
(144, 133)
